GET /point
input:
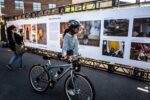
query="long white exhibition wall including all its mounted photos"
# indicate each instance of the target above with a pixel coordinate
(115, 35)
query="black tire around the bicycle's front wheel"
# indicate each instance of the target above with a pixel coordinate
(85, 79)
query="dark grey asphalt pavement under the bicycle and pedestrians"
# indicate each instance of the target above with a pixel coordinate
(14, 85)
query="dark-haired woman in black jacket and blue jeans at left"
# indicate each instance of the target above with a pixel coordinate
(14, 37)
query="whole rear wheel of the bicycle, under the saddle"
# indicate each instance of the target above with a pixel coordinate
(39, 78)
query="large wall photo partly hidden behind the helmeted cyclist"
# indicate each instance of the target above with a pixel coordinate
(89, 33)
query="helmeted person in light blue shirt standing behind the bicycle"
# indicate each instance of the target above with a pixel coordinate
(71, 44)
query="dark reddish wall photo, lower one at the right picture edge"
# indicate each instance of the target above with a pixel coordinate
(140, 51)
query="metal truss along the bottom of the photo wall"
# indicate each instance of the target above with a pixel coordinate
(126, 70)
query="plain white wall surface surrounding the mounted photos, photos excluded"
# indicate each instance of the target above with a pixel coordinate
(53, 31)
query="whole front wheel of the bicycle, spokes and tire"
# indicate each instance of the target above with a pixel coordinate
(79, 87)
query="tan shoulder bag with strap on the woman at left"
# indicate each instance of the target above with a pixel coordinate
(19, 49)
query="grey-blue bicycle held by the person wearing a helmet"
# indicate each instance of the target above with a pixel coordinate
(77, 86)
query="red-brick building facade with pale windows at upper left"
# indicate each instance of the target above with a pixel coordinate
(16, 7)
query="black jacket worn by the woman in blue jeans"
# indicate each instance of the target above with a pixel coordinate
(18, 39)
